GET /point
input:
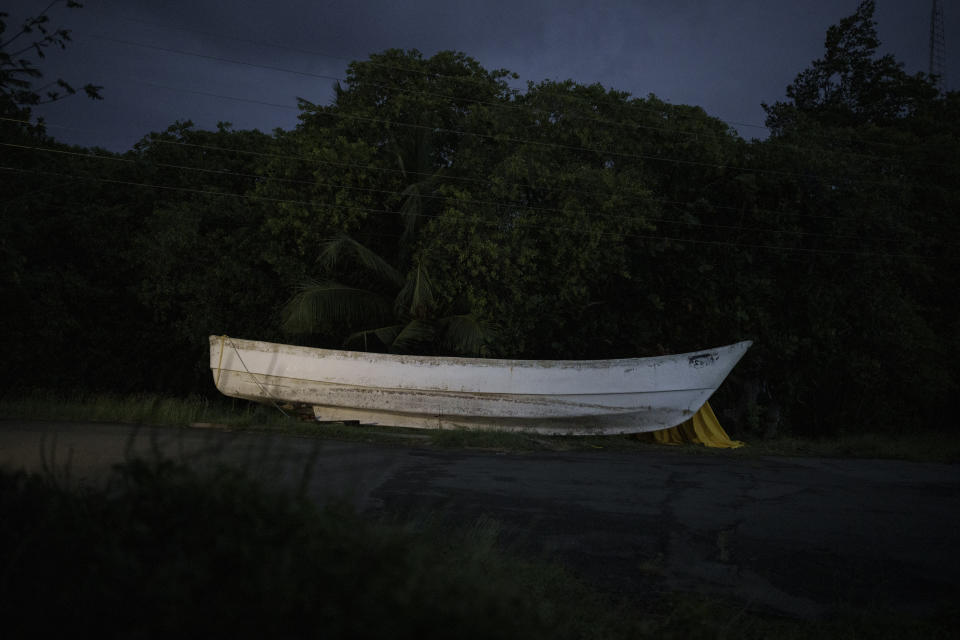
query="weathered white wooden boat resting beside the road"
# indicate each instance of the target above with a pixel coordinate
(571, 397)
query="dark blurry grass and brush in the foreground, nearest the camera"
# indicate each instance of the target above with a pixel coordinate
(164, 550)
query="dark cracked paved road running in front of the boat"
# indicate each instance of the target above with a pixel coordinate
(795, 535)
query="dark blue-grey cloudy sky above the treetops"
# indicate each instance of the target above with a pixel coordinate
(725, 56)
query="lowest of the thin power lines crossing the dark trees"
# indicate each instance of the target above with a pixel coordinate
(497, 223)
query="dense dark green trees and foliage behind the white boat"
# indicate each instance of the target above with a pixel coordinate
(432, 207)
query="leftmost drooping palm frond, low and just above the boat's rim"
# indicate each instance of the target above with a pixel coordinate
(320, 302)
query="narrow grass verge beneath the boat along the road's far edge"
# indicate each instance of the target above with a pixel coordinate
(921, 446)
